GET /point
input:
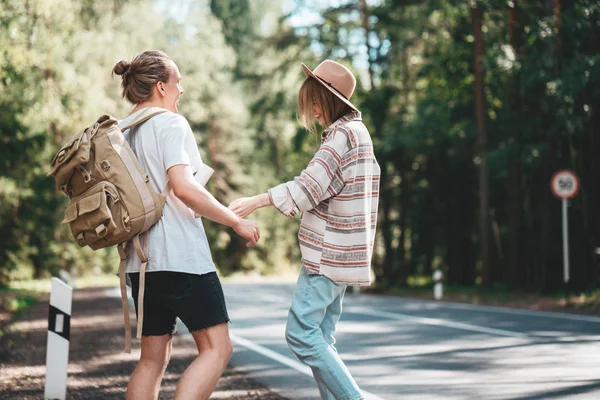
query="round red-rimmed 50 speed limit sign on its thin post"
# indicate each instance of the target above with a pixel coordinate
(565, 185)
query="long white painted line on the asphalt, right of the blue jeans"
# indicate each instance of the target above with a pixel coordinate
(433, 322)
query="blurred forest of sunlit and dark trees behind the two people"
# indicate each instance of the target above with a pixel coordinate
(472, 106)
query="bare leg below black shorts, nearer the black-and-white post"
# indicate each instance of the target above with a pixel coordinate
(145, 380)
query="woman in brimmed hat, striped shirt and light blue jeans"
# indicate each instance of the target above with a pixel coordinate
(338, 193)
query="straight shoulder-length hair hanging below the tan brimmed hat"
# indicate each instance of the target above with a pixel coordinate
(312, 91)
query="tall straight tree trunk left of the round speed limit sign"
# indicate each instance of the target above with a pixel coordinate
(476, 18)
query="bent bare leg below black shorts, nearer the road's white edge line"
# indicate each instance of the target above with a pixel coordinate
(201, 377)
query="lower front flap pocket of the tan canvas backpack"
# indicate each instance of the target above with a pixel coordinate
(98, 217)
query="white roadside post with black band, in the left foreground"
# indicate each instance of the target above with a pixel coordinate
(57, 348)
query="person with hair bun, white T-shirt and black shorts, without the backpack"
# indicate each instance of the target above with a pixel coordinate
(181, 280)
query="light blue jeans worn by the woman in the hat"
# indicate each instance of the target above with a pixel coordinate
(316, 309)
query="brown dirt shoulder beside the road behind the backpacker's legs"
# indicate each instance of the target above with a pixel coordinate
(98, 368)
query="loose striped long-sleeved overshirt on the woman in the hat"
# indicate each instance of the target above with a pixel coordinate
(338, 194)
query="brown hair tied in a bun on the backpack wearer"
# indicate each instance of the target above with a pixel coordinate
(141, 74)
